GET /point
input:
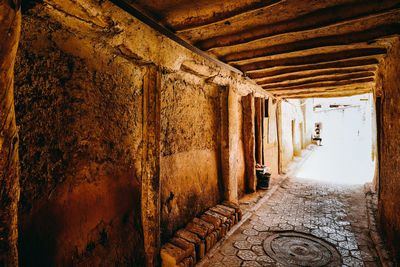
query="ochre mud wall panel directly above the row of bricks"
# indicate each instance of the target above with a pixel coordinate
(190, 125)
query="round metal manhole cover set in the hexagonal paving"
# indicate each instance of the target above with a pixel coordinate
(298, 249)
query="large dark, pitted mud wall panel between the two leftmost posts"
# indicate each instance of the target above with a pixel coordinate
(80, 133)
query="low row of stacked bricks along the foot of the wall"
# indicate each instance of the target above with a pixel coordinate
(189, 245)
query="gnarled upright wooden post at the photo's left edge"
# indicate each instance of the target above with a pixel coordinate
(10, 27)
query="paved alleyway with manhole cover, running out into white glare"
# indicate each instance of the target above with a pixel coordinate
(318, 216)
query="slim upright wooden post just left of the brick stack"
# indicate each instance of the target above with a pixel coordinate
(150, 195)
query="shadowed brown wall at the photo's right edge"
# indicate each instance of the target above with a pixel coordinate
(389, 176)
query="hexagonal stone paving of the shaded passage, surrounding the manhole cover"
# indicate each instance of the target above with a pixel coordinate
(336, 214)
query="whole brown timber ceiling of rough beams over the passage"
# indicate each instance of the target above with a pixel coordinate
(291, 48)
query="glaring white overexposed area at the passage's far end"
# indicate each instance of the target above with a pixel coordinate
(346, 154)
